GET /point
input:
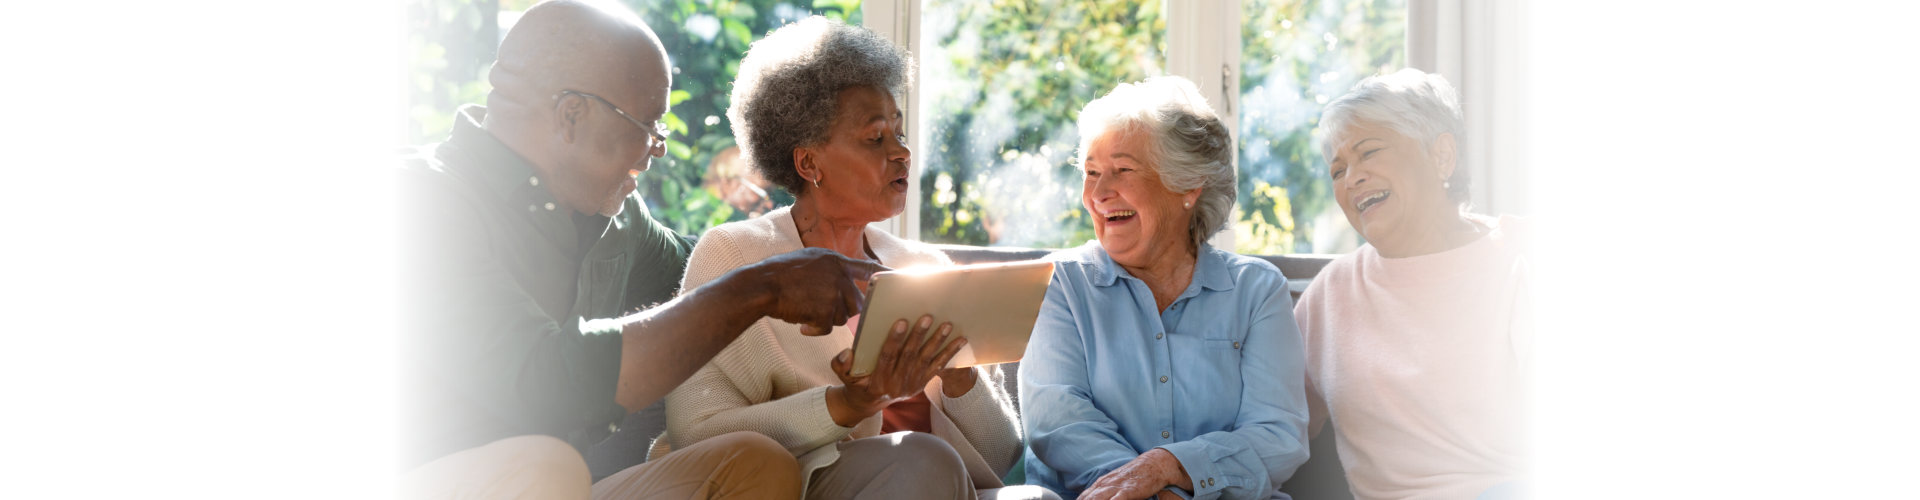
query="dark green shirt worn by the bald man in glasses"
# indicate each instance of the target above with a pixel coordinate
(508, 299)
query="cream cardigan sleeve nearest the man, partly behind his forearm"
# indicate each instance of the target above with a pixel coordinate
(723, 395)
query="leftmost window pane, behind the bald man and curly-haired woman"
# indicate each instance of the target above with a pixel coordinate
(702, 182)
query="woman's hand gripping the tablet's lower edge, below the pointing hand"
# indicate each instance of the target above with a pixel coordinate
(905, 366)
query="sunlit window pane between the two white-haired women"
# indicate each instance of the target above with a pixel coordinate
(1295, 59)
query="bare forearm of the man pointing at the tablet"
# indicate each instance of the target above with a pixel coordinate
(665, 345)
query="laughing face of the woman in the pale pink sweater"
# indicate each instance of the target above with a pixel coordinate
(1389, 186)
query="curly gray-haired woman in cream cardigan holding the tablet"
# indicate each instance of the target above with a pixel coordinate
(815, 109)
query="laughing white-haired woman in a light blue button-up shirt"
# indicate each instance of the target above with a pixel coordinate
(1161, 364)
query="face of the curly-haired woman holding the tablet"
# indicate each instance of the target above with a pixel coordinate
(865, 161)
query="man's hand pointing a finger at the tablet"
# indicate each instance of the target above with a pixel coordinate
(811, 287)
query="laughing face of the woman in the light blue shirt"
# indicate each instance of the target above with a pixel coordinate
(1138, 220)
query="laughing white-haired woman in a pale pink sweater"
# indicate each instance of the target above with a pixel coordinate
(1416, 345)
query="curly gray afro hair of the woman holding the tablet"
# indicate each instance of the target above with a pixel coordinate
(784, 95)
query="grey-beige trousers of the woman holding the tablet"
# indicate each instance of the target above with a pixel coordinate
(905, 466)
